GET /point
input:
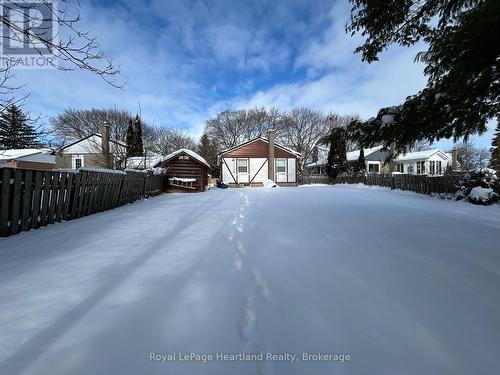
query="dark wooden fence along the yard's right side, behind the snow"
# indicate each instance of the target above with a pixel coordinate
(418, 183)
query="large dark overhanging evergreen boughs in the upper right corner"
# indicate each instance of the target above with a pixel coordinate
(462, 66)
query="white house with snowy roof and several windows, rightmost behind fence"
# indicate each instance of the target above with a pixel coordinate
(431, 162)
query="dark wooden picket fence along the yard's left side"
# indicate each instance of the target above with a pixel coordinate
(30, 199)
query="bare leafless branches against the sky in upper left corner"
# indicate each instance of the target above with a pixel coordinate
(67, 48)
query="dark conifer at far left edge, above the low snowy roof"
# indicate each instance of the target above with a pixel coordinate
(15, 129)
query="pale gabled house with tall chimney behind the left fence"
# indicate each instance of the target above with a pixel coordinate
(88, 152)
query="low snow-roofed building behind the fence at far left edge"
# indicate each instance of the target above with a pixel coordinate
(31, 158)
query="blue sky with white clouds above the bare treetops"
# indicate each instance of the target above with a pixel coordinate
(184, 61)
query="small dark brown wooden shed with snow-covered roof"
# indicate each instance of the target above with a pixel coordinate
(186, 171)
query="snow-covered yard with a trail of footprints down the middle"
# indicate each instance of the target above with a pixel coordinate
(403, 283)
